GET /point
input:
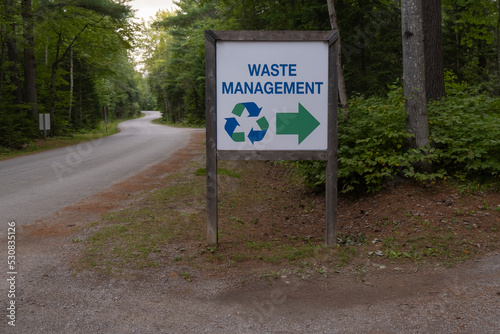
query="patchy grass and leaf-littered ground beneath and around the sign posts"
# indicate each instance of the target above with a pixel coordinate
(270, 225)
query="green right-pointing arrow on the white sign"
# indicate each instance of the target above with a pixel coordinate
(301, 123)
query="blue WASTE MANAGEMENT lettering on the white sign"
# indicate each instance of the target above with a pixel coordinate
(270, 87)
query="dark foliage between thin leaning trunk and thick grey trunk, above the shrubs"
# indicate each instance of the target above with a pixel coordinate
(371, 44)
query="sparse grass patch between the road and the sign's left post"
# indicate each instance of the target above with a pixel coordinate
(144, 236)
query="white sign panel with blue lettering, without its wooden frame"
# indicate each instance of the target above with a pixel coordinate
(272, 95)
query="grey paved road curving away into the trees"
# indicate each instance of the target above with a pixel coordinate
(33, 186)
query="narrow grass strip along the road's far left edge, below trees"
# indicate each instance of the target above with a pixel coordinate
(49, 143)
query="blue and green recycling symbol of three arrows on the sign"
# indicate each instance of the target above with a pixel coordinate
(253, 111)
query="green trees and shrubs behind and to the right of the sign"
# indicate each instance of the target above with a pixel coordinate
(373, 142)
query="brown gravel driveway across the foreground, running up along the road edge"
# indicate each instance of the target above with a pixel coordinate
(52, 297)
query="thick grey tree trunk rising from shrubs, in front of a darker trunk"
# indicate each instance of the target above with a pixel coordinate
(414, 72)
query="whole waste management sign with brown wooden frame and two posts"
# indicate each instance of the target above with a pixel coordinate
(271, 95)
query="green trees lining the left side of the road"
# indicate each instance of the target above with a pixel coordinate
(79, 47)
